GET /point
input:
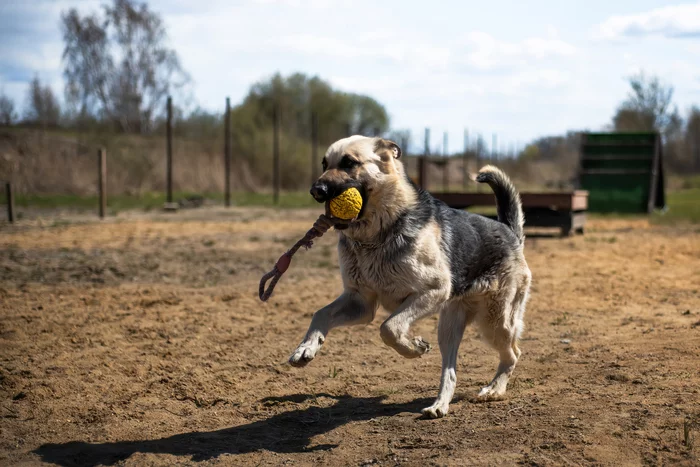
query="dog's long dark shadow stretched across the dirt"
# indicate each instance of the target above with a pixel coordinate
(286, 432)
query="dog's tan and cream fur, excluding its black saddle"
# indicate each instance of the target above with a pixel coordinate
(415, 285)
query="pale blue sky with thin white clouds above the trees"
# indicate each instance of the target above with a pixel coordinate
(519, 70)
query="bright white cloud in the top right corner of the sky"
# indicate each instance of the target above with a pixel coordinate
(671, 21)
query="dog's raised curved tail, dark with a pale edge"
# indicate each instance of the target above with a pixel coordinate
(510, 211)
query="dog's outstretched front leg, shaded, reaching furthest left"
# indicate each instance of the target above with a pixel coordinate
(352, 307)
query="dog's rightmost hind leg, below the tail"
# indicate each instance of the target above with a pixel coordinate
(501, 325)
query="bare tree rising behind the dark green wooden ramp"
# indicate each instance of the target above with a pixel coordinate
(648, 107)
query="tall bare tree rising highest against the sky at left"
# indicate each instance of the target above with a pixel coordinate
(117, 66)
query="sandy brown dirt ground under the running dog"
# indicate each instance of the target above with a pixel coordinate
(141, 341)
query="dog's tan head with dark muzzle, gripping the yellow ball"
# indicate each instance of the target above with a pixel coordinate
(369, 164)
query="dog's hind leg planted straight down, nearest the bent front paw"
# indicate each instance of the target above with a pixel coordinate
(453, 320)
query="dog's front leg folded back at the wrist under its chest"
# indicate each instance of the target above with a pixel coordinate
(394, 330)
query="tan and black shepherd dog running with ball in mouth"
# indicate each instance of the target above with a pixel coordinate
(415, 256)
